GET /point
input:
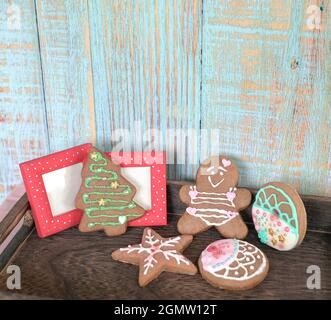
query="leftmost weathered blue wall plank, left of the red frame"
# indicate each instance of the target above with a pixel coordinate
(23, 130)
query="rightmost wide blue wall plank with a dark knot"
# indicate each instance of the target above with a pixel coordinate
(266, 86)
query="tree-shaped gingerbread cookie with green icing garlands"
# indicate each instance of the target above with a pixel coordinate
(105, 196)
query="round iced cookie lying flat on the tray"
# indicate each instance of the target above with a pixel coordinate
(233, 264)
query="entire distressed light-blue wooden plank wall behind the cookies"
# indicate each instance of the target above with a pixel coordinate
(250, 79)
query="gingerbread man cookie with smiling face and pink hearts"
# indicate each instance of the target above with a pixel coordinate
(215, 201)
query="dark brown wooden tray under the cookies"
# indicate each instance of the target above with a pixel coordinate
(73, 265)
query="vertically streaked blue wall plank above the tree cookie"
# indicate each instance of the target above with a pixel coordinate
(146, 69)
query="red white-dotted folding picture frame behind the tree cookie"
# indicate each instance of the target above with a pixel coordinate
(47, 223)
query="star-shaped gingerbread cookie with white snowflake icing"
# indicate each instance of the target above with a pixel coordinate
(156, 254)
